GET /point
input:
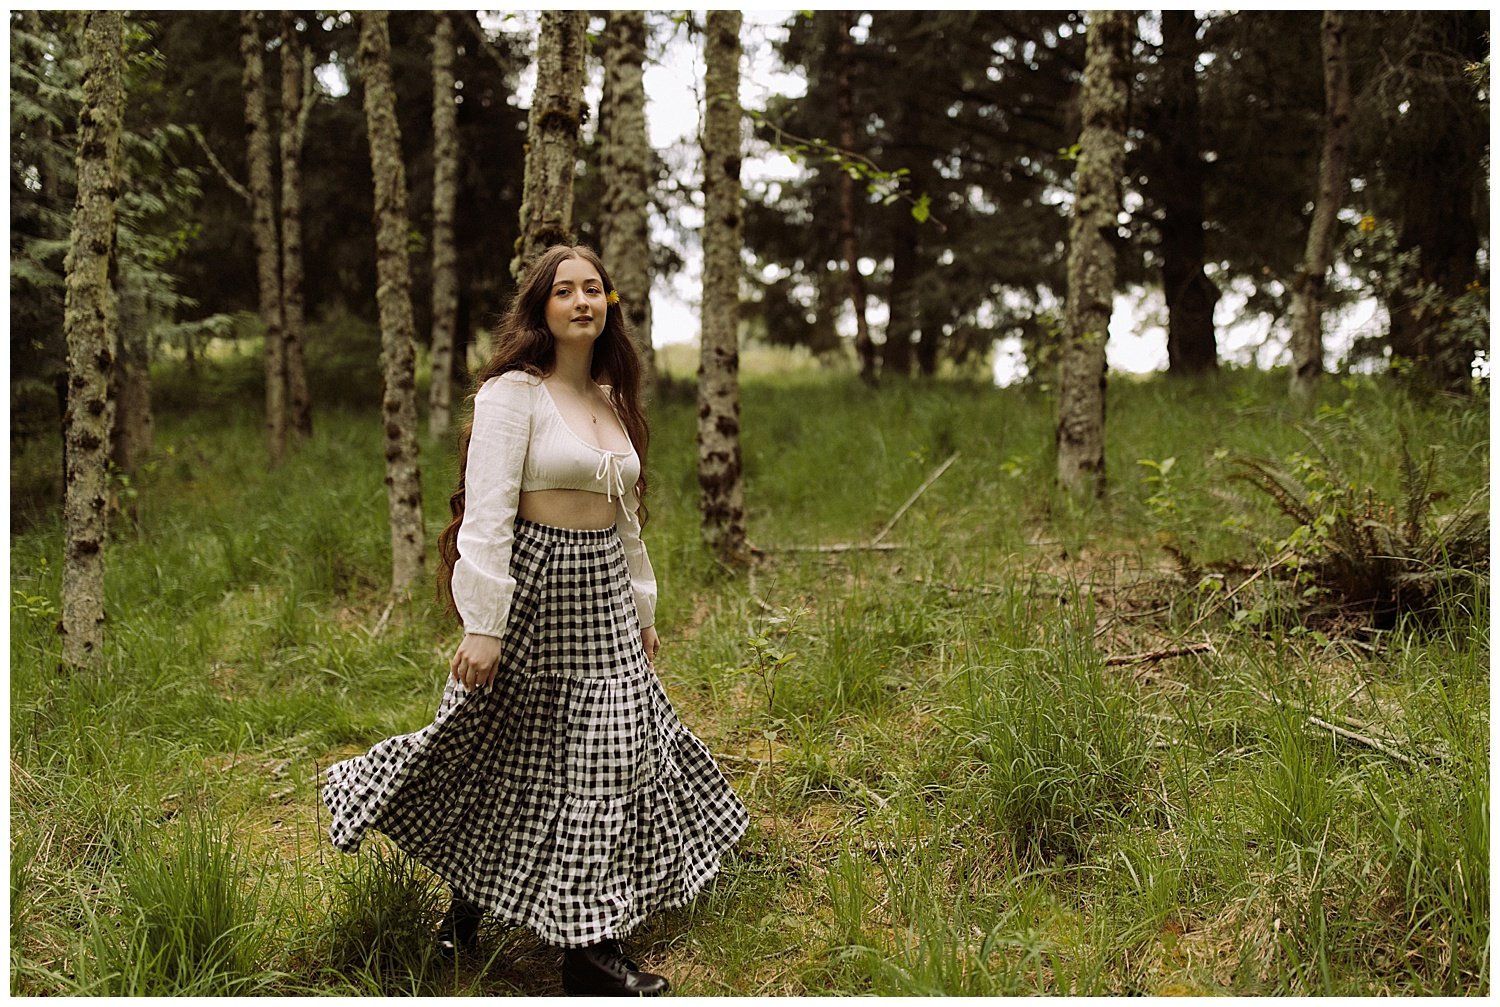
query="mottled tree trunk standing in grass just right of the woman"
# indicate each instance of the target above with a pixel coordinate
(719, 469)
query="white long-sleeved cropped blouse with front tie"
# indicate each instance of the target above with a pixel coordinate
(521, 443)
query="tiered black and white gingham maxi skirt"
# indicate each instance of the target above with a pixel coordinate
(568, 798)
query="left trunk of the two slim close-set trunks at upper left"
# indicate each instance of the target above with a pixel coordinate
(263, 223)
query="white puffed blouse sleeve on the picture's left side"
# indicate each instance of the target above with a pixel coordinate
(497, 457)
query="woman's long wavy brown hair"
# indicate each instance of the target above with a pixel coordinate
(524, 343)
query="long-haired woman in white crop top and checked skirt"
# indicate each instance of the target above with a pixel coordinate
(556, 789)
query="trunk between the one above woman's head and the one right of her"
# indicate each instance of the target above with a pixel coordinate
(629, 184)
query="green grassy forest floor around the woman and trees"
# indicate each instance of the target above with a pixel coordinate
(1039, 748)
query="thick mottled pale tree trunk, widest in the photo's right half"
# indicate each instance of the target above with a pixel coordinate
(1091, 253)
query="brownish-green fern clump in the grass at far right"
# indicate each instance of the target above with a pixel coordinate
(1367, 555)
